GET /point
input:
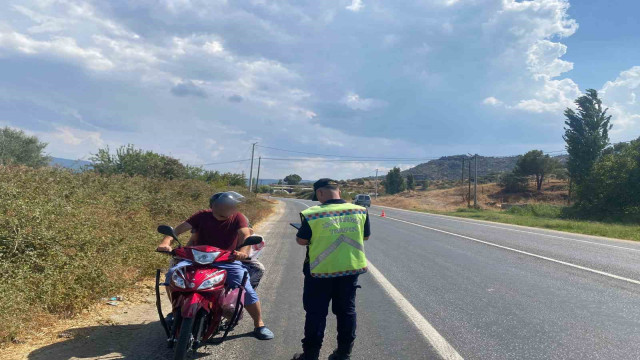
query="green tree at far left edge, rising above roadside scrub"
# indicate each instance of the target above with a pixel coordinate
(18, 148)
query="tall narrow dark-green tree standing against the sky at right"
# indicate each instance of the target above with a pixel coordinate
(587, 135)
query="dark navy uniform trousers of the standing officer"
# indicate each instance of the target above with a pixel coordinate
(318, 292)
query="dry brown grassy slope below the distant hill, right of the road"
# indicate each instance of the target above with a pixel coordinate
(489, 196)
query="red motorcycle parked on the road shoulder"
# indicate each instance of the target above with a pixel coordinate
(202, 306)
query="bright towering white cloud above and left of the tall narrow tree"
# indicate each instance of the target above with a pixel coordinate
(532, 25)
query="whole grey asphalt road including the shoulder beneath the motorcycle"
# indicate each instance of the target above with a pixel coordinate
(440, 287)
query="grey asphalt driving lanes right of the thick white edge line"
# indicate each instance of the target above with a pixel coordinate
(496, 291)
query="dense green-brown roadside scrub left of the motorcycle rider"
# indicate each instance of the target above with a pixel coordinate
(68, 239)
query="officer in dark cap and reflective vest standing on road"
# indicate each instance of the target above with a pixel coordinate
(334, 233)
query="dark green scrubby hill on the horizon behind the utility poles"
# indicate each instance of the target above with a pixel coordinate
(449, 167)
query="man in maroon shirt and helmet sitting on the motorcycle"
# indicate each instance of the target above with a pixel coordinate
(223, 226)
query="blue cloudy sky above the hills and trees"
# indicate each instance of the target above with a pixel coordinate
(202, 79)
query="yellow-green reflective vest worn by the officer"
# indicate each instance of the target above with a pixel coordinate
(336, 247)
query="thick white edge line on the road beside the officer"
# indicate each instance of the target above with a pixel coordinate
(433, 337)
